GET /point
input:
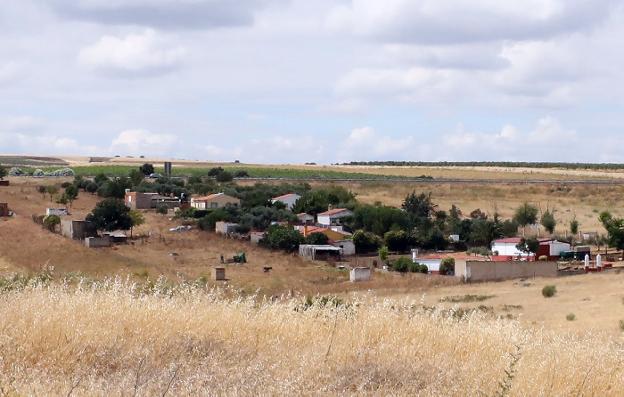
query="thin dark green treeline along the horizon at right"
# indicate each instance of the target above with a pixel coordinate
(507, 164)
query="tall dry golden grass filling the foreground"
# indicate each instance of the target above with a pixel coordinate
(120, 338)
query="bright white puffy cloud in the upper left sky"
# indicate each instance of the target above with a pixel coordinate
(146, 53)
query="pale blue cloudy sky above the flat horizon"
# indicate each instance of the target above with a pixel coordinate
(326, 81)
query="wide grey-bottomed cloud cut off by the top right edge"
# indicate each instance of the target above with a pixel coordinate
(463, 21)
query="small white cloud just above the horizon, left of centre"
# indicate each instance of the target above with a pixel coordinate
(143, 142)
